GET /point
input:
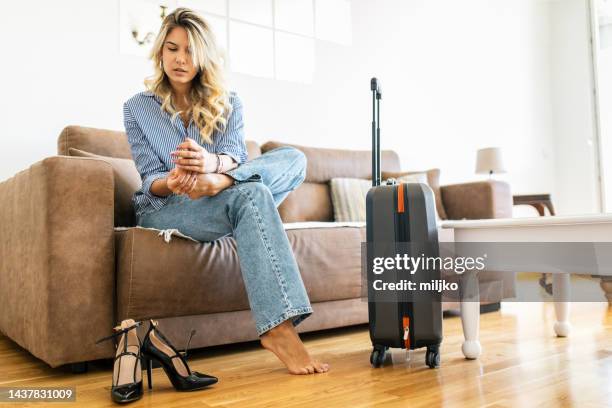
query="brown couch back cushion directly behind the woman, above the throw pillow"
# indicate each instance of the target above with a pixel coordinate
(111, 143)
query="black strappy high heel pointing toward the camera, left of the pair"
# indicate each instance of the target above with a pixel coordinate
(126, 386)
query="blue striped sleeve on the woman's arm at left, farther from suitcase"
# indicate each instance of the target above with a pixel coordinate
(148, 164)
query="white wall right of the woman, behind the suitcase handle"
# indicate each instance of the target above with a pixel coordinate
(456, 76)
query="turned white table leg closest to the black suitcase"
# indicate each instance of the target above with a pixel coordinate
(470, 315)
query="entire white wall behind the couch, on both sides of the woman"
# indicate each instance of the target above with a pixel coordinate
(456, 76)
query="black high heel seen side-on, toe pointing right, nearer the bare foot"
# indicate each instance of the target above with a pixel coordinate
(155, 346)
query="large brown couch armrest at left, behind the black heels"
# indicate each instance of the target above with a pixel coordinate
(57, 271)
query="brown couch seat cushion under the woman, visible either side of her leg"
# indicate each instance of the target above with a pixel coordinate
(183, 277)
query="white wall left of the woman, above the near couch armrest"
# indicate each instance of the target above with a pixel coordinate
(60, 66)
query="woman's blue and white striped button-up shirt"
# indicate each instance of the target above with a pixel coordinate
(153, 134)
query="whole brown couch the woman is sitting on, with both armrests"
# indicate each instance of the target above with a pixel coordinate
(67, 275)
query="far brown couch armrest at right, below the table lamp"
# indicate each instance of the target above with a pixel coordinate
(477, 200)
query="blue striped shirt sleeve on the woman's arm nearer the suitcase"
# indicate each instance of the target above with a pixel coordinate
(231, 141)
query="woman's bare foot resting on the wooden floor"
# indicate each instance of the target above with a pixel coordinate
(284, 341)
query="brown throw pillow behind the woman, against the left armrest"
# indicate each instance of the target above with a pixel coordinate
(127, 181)
